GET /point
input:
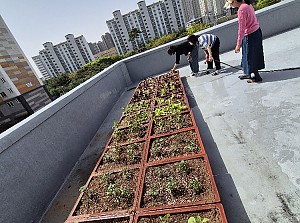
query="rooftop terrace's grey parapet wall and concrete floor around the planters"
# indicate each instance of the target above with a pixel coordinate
(250, 131)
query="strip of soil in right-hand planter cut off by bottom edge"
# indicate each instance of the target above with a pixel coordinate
(213, 215)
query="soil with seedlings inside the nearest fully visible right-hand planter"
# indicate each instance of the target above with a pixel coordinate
(177, 183)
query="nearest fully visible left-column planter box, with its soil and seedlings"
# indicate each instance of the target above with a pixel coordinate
(104, 189)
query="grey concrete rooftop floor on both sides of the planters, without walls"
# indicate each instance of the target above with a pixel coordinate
(250, 132)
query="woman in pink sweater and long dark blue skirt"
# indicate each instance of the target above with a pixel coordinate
(250, 40)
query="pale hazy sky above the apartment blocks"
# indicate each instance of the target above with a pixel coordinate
(34, 22)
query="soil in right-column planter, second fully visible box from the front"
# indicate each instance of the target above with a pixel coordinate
(184, 143)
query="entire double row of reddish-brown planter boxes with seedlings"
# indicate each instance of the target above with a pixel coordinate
(154, 168)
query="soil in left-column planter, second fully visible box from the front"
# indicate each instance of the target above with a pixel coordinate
(120, 156)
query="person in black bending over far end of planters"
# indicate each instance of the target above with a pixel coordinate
(188, 50)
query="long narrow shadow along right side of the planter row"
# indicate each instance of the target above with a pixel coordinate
(230, 198)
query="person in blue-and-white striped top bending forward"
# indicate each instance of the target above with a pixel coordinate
(211, 46)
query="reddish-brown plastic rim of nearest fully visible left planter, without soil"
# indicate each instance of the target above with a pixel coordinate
(106, 214)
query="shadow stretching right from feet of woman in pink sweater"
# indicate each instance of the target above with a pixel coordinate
(280, 75)
